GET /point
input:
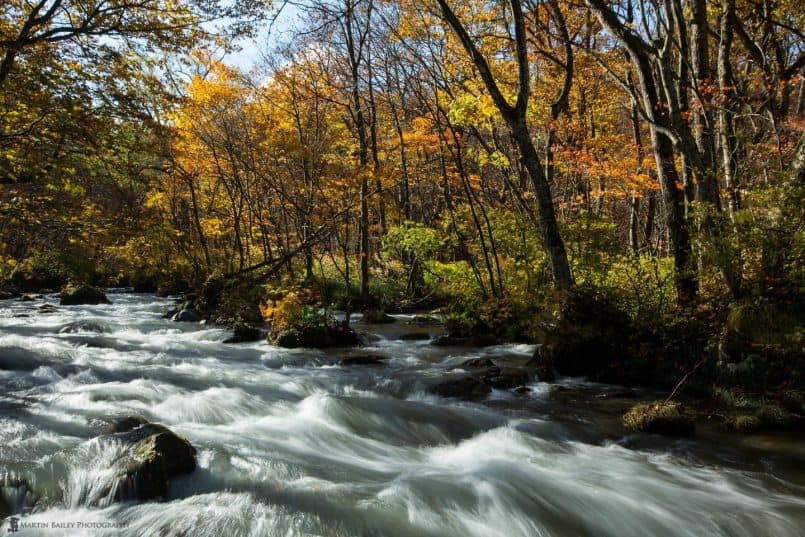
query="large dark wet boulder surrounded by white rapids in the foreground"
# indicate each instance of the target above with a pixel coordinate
(153, 456)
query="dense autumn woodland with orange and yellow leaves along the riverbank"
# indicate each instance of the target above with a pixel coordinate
(601, 175)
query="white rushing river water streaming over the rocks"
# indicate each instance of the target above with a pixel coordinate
(292, 444)
